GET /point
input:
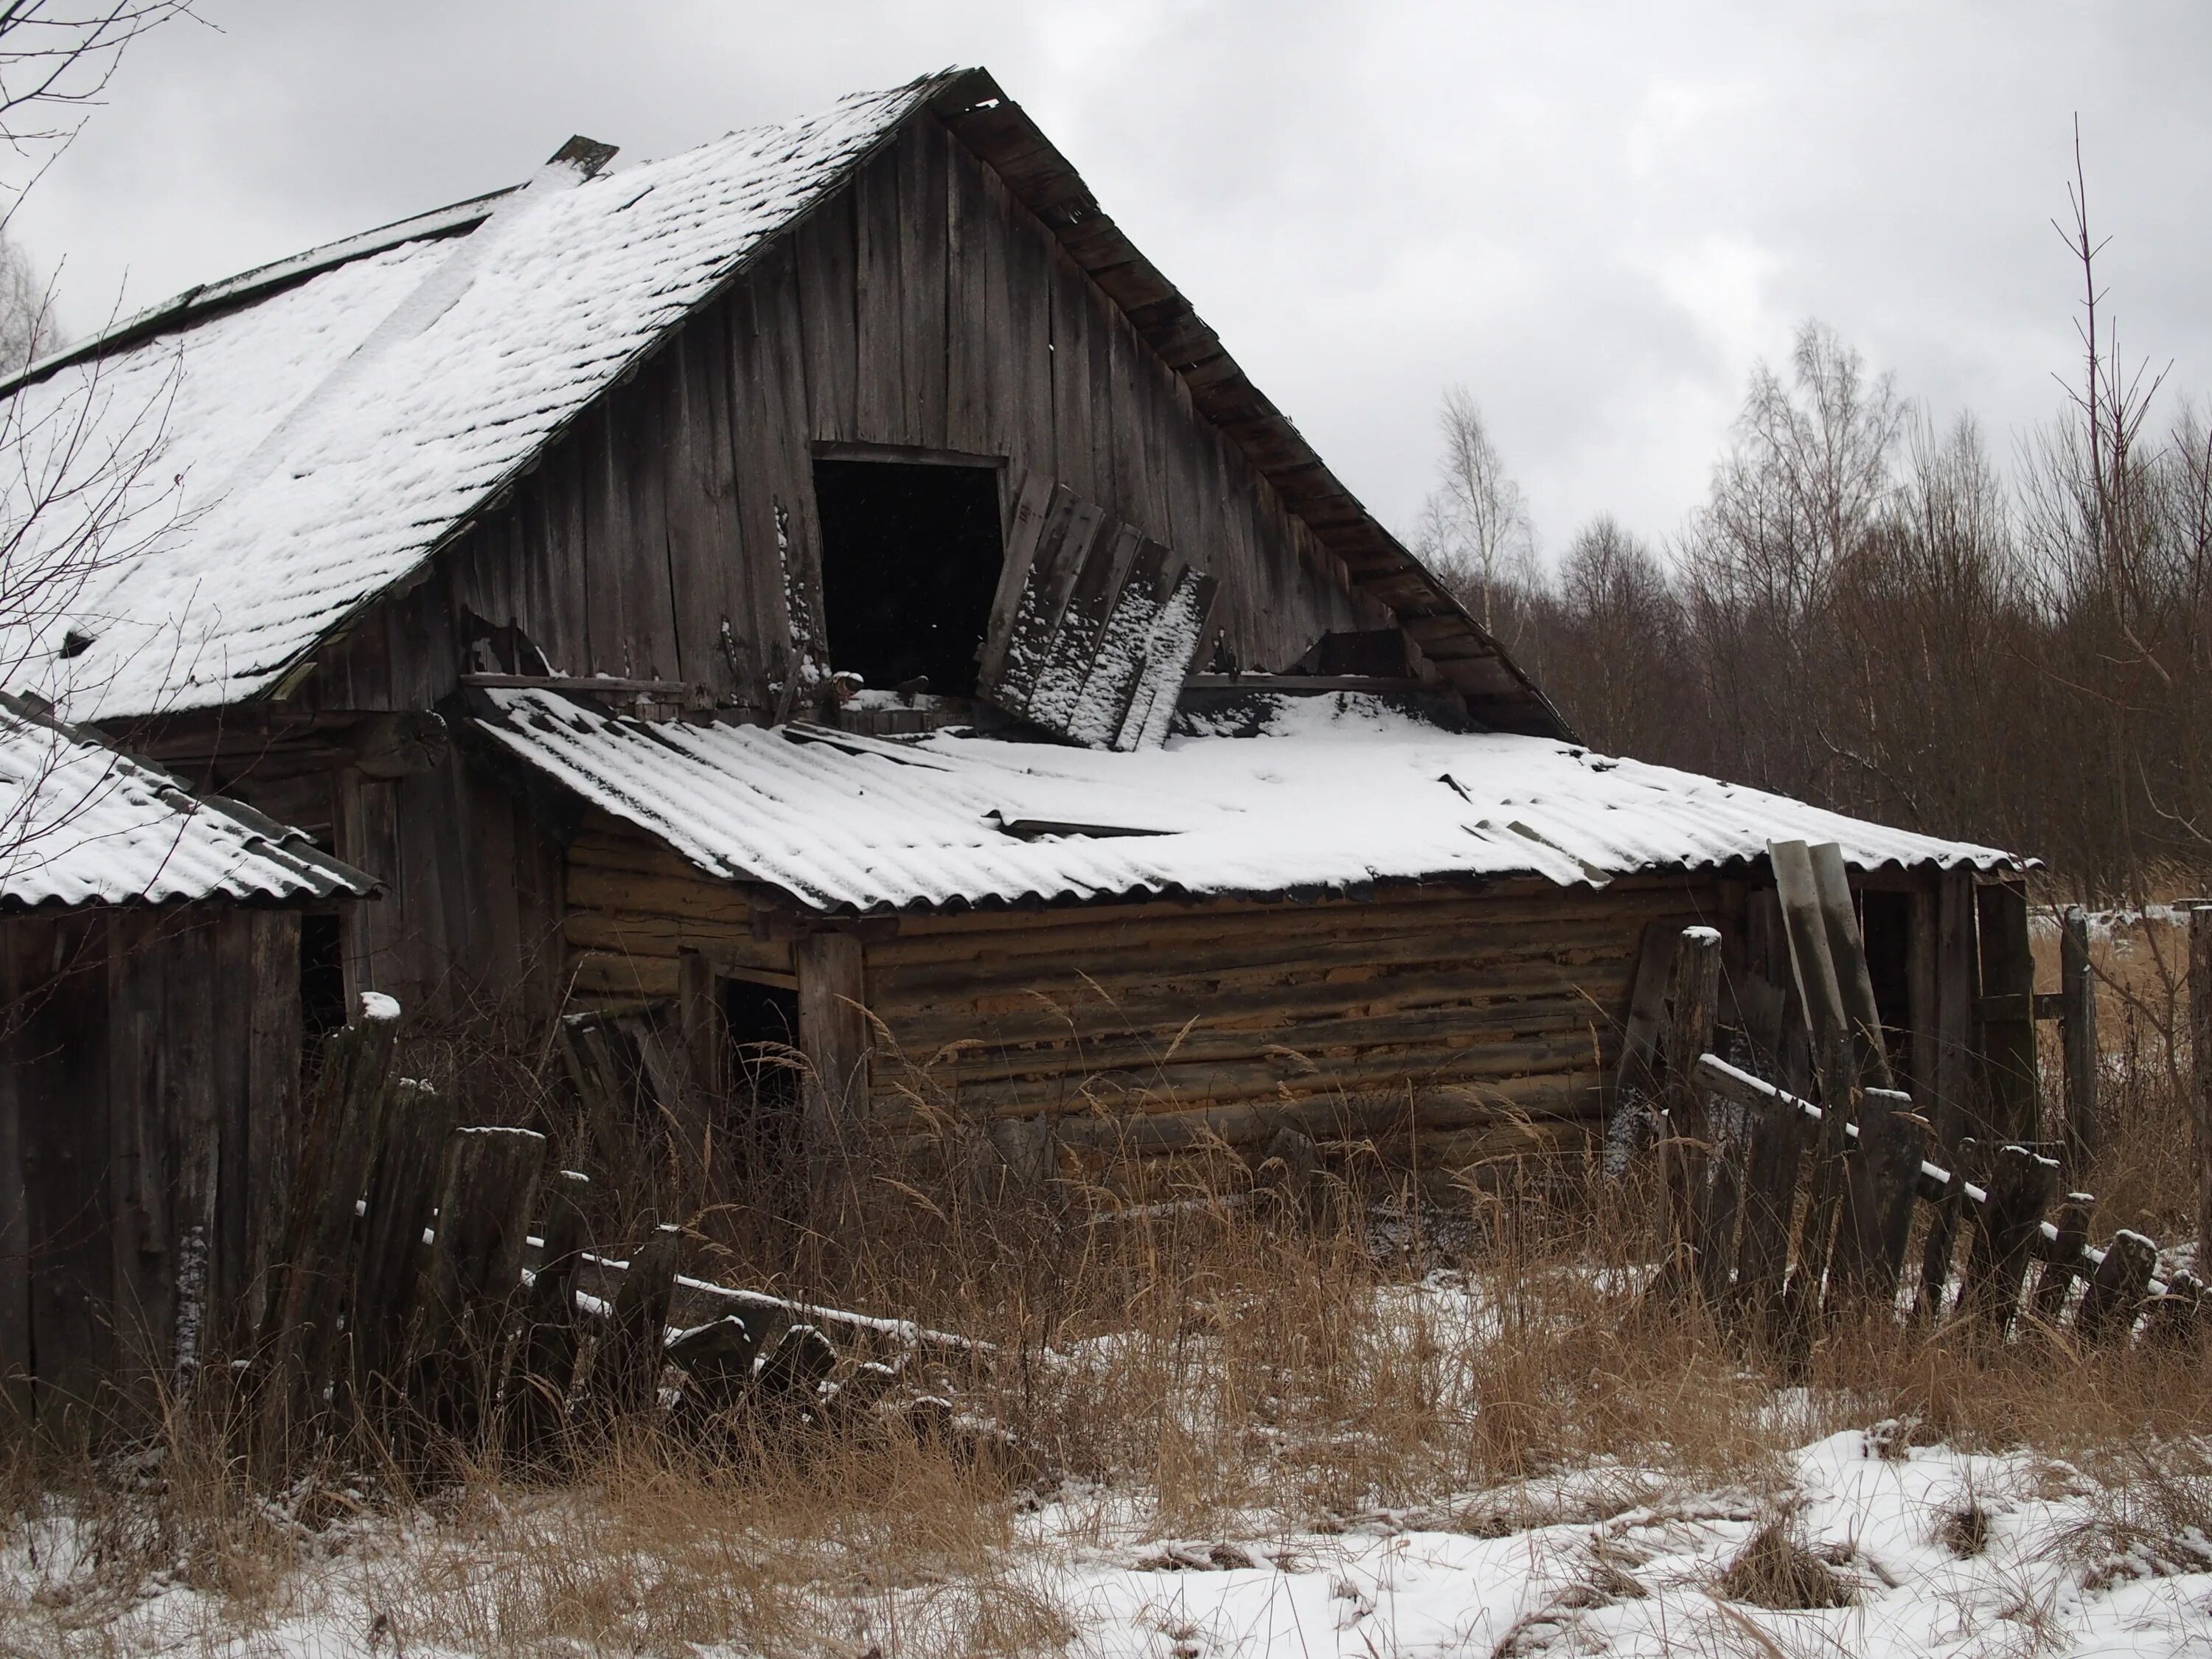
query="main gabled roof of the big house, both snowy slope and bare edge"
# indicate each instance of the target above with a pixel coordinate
(298, 441)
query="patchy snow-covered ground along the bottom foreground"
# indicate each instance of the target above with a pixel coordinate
(1605, 1561)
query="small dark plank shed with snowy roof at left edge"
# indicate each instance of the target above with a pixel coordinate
(149, 1056)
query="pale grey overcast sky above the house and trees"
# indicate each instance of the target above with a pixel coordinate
(1596, 218)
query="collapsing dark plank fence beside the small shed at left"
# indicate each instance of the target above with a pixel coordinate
(439, 1282)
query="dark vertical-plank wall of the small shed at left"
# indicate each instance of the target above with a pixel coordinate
(149, 1085)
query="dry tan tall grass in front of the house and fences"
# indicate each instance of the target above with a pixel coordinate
(1207, 1368)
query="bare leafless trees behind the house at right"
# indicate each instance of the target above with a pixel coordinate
(1879, 618)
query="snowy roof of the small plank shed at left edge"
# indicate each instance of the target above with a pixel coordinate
(83, 824)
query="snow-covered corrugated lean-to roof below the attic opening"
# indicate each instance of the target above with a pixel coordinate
(1337, 795)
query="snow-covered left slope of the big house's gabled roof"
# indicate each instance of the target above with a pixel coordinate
(320, 444)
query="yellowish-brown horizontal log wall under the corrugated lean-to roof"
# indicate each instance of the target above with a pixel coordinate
(1165, 1023)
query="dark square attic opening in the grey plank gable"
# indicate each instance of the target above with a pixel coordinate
(910, 567)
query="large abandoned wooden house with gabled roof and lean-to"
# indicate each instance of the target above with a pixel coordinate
(831, 583)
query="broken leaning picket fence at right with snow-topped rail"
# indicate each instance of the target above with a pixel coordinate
(1786, 1211)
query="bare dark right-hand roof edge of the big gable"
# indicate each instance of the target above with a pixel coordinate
(1003, 136)
